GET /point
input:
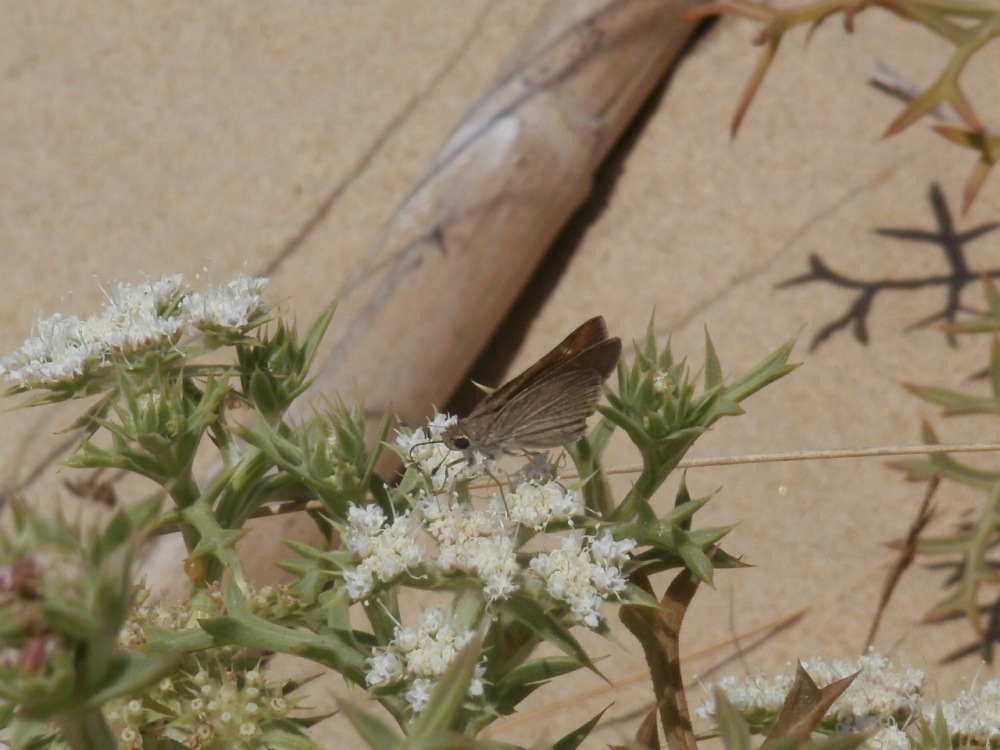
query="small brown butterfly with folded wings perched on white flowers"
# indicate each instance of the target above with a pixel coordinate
(548, 404)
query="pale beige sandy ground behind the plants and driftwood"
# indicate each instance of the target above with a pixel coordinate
(157, 138)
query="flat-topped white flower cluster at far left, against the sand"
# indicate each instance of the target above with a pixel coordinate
(138, 317)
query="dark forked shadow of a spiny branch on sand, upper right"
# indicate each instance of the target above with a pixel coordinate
(945, 238)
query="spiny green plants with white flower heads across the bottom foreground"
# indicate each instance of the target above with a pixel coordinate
(88, 660)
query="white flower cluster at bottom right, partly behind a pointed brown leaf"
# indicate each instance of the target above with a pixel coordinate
(879, 696)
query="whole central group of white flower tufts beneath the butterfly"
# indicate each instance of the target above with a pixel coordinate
(581, 573)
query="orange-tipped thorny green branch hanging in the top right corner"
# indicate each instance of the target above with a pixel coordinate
(967, 24)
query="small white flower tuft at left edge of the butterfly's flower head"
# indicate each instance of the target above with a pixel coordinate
(385, 552)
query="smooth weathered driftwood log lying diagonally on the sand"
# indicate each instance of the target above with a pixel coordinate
(455, 254)
